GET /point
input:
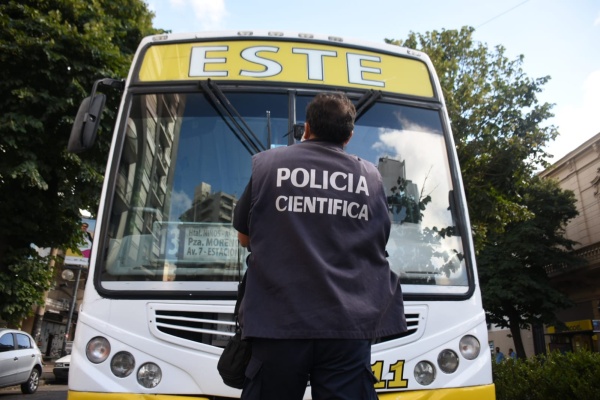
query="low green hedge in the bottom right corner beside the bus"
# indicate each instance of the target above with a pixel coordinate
(552, 376)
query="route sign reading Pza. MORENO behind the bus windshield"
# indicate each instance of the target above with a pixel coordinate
(209, 243)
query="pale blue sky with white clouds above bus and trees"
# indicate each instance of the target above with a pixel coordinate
(558, 38)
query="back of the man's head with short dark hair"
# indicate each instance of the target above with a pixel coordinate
(331, 117)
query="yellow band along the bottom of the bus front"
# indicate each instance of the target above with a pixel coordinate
(486, 392)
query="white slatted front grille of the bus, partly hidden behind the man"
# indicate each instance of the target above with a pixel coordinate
(192, 325)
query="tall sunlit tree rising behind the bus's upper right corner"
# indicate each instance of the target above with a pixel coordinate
(496, 123)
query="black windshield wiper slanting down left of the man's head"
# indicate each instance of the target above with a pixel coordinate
(231, 117)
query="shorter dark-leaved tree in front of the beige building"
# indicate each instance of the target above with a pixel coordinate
(512, 265)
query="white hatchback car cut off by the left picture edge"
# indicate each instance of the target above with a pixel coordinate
(20, 360)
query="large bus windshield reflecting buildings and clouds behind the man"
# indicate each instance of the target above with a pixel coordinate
(184, 162)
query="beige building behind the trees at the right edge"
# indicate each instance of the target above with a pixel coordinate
(578, 171)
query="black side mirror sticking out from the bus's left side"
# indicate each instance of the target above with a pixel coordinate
(85, 127)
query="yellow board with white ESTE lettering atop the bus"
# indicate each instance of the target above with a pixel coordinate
(286, 62)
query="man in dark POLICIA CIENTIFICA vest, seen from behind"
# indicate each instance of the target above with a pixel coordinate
(319, 287)
